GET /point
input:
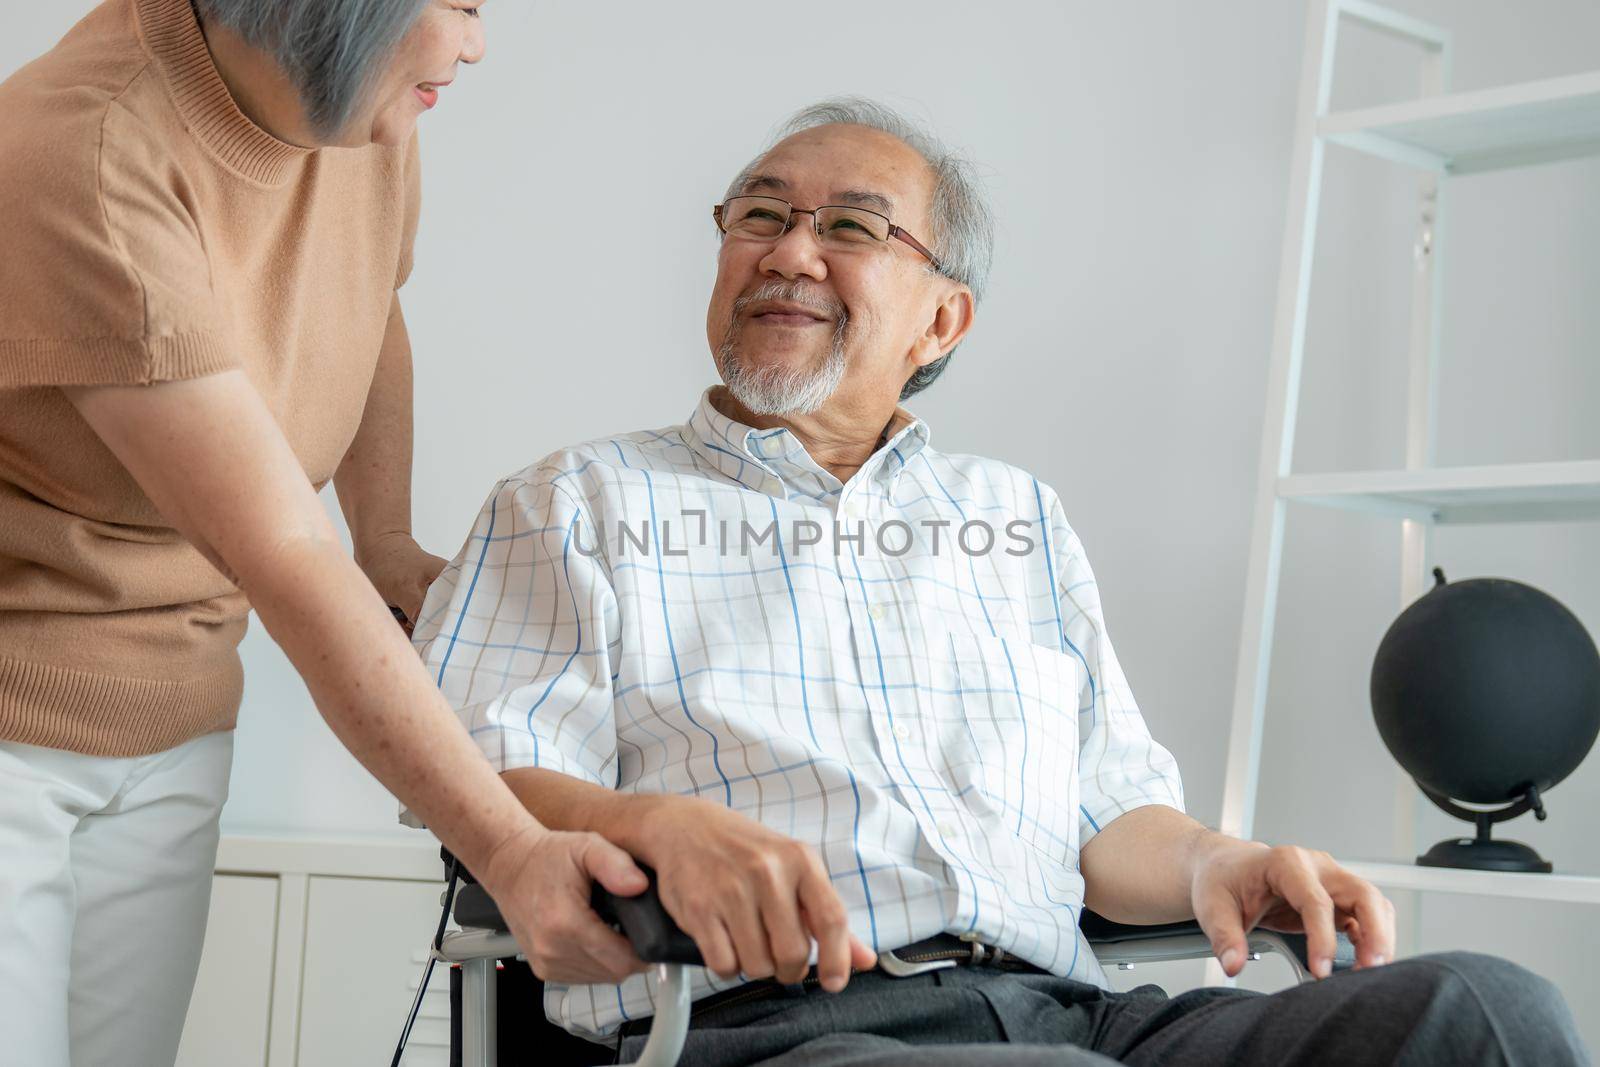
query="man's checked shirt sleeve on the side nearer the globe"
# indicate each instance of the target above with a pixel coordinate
(1121, 765)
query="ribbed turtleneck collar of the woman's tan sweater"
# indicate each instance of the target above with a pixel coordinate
(172, 36)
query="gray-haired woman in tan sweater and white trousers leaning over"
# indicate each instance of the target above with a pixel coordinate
(209, 209)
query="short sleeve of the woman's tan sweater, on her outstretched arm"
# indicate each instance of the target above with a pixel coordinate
(106, 278)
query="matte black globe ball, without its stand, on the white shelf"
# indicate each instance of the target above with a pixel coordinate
(1487, 687)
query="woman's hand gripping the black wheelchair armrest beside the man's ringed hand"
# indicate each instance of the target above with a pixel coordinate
(542, 881)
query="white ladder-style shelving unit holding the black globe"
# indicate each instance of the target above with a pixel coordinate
(1441, 135)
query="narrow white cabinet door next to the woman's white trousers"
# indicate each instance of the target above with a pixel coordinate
(230, 1010)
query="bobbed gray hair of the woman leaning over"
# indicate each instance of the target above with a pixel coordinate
(334, 50)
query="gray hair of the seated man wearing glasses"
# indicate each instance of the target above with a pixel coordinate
(964, 231)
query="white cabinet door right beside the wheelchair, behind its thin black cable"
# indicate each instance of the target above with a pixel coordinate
(366, 951)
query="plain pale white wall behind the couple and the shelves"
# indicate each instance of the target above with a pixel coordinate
(1138, 159)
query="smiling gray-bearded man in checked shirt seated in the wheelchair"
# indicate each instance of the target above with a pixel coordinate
(855, 700)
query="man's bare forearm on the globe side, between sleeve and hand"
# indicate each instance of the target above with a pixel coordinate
(1140, 869)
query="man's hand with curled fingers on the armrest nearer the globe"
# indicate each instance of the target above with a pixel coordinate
(1239, 885)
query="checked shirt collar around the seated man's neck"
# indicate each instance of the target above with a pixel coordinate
(754, 458)
